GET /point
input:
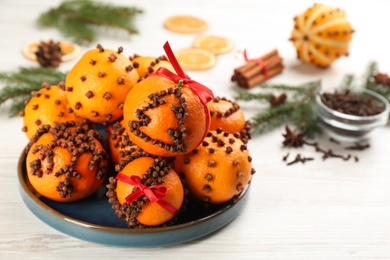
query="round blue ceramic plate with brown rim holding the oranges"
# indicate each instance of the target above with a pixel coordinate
(93, 219)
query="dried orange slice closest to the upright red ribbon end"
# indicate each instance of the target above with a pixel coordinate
(195, 58)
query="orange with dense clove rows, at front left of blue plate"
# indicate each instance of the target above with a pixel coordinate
(66, 162)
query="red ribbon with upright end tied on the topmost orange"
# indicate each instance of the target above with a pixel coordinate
(204, 93)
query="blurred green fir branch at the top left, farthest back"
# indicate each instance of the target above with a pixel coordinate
(81, 19)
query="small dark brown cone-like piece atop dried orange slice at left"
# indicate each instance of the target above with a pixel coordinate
(49, 54)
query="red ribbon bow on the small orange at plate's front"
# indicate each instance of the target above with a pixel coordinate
(154, 193)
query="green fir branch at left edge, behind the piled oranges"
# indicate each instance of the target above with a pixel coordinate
(17, 86)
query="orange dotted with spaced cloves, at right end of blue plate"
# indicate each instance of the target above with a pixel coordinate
(219, 169)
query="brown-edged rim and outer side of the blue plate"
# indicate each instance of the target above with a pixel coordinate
(27, 194)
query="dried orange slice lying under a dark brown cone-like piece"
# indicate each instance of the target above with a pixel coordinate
(69, 49)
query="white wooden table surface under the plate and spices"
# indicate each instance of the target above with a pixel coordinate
(320, 210)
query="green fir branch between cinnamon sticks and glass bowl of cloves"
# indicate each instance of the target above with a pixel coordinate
(299, 108)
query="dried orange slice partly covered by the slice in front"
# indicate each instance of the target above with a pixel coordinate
(213, 43)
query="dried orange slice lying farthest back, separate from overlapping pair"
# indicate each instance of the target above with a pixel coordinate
(185, 24)
